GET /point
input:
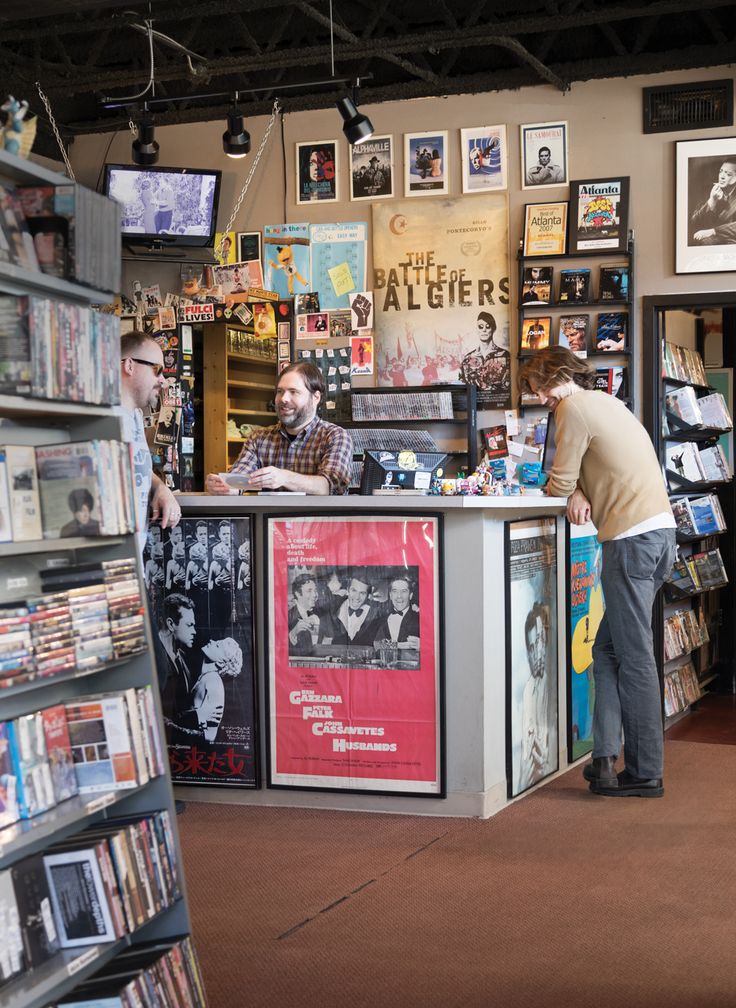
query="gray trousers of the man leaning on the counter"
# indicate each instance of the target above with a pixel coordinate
(629, 696)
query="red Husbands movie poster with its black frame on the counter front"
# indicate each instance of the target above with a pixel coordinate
(355, 678)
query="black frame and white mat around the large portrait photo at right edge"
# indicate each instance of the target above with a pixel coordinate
(708, 259)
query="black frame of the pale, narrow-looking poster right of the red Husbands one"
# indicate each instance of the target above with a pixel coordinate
(512, 793)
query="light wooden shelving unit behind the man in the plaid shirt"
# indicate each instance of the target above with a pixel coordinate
(239, 372)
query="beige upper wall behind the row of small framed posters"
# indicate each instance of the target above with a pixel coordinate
(605, 139)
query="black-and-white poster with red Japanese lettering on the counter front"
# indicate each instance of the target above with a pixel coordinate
(198, 577)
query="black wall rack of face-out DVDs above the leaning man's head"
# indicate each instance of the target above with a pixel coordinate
(583, 302)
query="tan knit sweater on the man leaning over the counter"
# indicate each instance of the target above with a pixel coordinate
(603, 449)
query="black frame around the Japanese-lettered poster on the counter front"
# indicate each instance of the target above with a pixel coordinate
(161, 655)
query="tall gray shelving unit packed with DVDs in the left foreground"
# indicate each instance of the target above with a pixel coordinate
(90, 860)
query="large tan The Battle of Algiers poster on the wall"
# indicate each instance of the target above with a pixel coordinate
(442, 295)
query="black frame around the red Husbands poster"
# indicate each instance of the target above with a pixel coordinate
(363, 518)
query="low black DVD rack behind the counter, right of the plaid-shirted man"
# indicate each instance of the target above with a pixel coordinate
(439, 418)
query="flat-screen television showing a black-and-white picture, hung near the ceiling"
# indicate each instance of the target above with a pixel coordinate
(169, 206)
